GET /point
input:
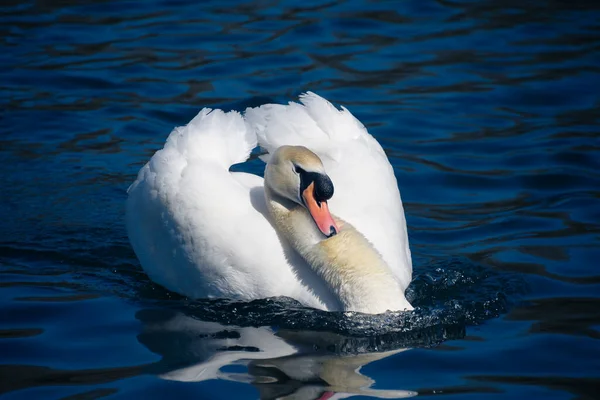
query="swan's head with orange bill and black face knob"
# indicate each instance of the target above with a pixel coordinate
(297, 174)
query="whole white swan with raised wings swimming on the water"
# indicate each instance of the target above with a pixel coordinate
(205, 232)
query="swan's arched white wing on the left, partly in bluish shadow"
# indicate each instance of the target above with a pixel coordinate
(202, 231)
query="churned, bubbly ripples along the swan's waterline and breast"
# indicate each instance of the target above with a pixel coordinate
(447, 297)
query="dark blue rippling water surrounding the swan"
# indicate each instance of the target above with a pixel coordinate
(489, 112)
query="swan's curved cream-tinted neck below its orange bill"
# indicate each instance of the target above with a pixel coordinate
(347, 262)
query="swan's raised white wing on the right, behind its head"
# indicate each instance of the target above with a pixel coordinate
(366, 191)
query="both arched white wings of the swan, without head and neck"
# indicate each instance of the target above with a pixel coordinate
(203, 231)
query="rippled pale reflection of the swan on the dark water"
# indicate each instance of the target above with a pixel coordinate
(283, 365)
